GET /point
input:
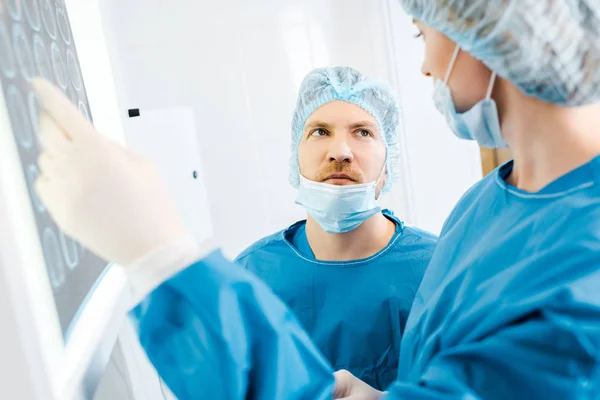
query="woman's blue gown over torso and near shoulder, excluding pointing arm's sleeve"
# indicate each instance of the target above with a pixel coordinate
(510, 304)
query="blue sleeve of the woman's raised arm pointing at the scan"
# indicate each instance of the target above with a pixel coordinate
(216, 331)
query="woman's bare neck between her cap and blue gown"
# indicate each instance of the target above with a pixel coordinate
(547, 141)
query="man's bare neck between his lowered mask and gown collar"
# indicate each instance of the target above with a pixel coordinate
(366, 240)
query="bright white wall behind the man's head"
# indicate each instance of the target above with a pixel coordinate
(239, 65)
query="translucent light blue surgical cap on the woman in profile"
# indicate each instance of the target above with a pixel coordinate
(550, 49)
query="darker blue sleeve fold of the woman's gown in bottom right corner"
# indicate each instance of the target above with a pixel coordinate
(552, 355)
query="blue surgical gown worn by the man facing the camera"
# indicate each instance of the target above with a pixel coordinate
(354, 311)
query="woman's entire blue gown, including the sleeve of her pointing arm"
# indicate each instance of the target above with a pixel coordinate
(509, 308)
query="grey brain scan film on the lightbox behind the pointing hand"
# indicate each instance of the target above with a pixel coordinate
(36, 40)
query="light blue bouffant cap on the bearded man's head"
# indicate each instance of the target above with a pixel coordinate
(324, 85)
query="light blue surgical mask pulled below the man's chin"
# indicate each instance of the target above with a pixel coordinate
(339, 208)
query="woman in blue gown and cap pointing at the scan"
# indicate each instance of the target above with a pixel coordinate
(510, 304)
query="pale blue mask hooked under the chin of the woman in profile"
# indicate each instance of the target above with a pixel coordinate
(480, 122)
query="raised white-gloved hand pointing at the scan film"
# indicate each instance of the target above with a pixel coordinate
(106, 197)
